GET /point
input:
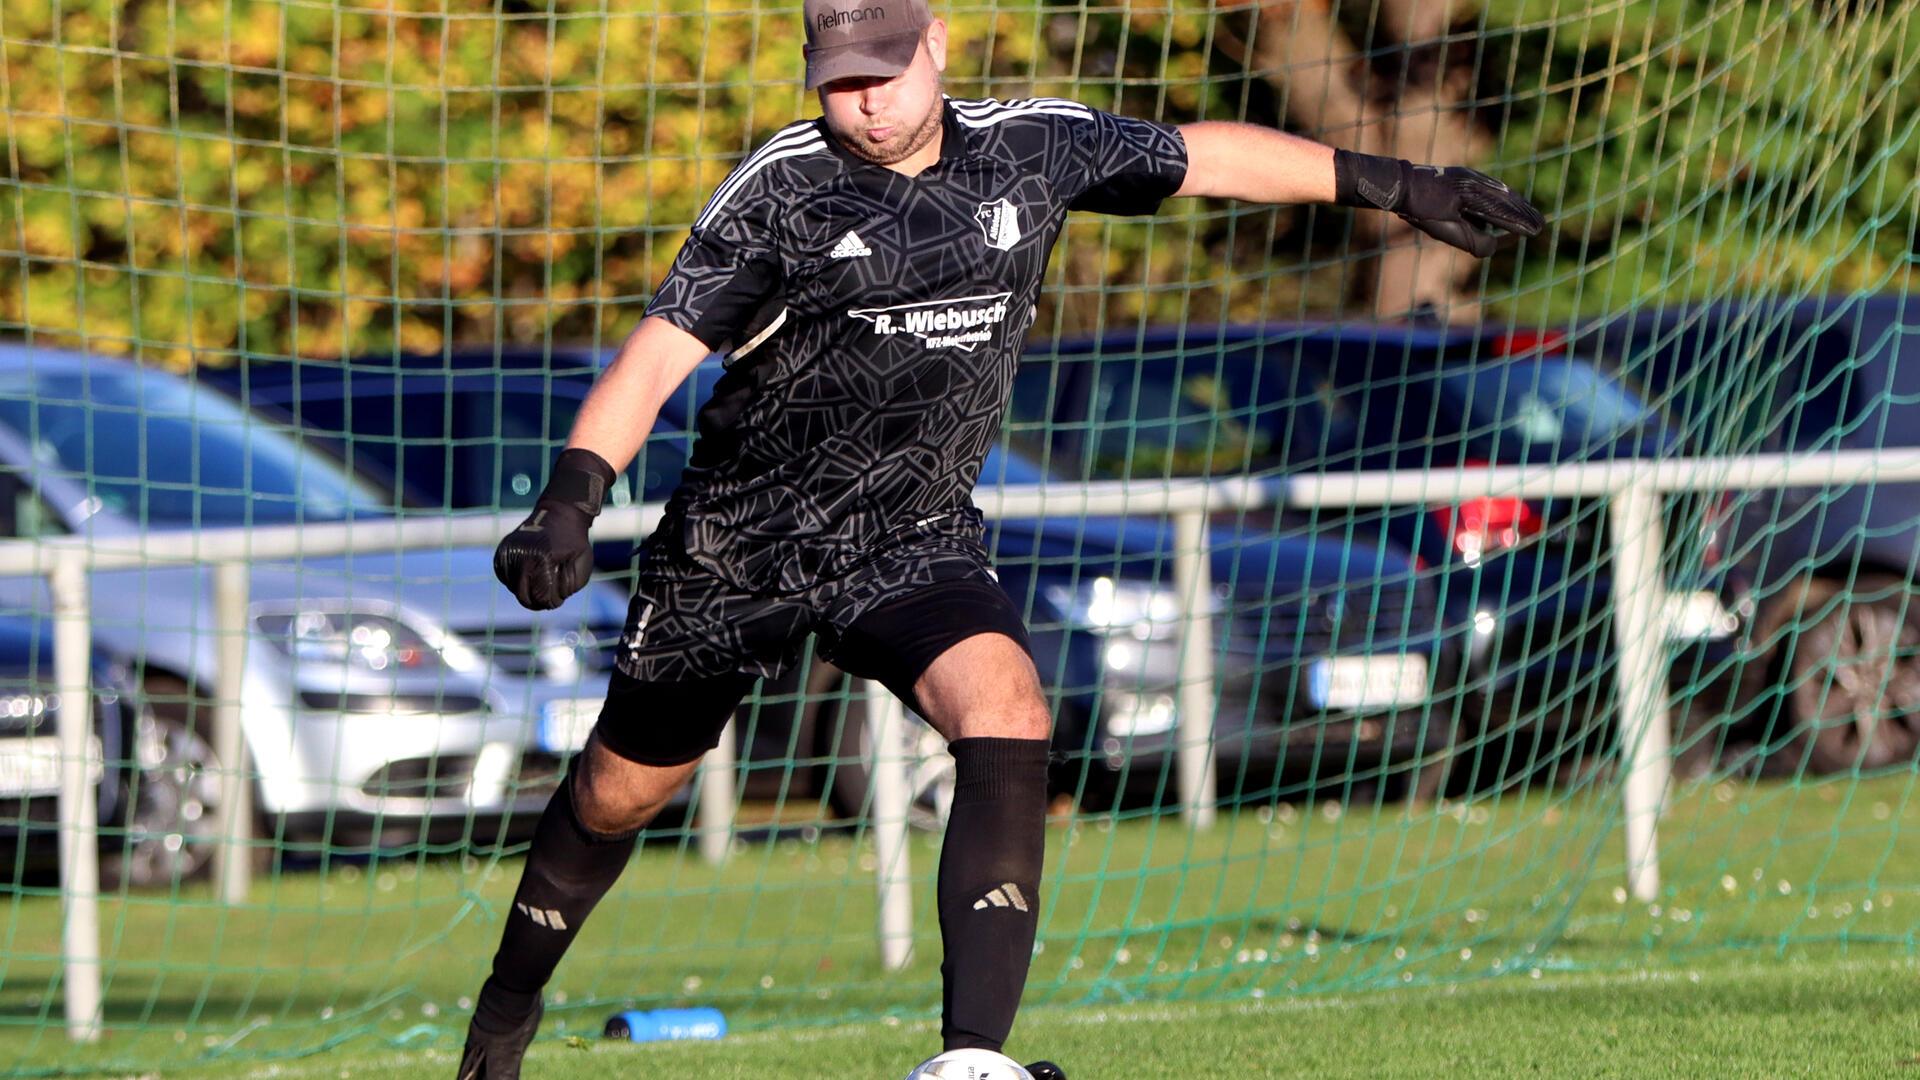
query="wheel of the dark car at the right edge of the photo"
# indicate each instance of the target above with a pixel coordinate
(1856, 681)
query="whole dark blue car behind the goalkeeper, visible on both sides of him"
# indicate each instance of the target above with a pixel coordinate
(1326, 647)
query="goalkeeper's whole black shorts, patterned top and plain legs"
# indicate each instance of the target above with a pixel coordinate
(696, 645)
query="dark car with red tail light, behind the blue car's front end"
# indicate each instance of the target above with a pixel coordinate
(1524, 585)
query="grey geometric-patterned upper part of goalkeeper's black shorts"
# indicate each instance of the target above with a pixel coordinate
(688, 624)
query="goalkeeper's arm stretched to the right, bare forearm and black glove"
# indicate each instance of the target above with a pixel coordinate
(1257, 164)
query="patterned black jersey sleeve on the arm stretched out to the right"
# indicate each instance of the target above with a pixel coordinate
(1122, 164)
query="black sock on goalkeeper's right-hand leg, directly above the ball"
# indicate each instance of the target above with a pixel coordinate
(990, 887)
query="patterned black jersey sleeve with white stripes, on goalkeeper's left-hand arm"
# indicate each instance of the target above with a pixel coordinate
(729, 270)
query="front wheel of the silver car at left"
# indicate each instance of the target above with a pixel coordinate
(172, 818)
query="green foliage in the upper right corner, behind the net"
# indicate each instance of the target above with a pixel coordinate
(1712, 149)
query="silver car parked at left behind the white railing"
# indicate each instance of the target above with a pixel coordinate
(389, 697)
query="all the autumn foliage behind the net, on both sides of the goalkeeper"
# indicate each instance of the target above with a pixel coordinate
(214, 178)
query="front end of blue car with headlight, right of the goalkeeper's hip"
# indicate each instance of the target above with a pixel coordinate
(1328, 649)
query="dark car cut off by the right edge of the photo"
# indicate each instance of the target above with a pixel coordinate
(1829, 675)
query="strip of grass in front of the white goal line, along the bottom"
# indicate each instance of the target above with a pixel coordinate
(1806, 1018)
